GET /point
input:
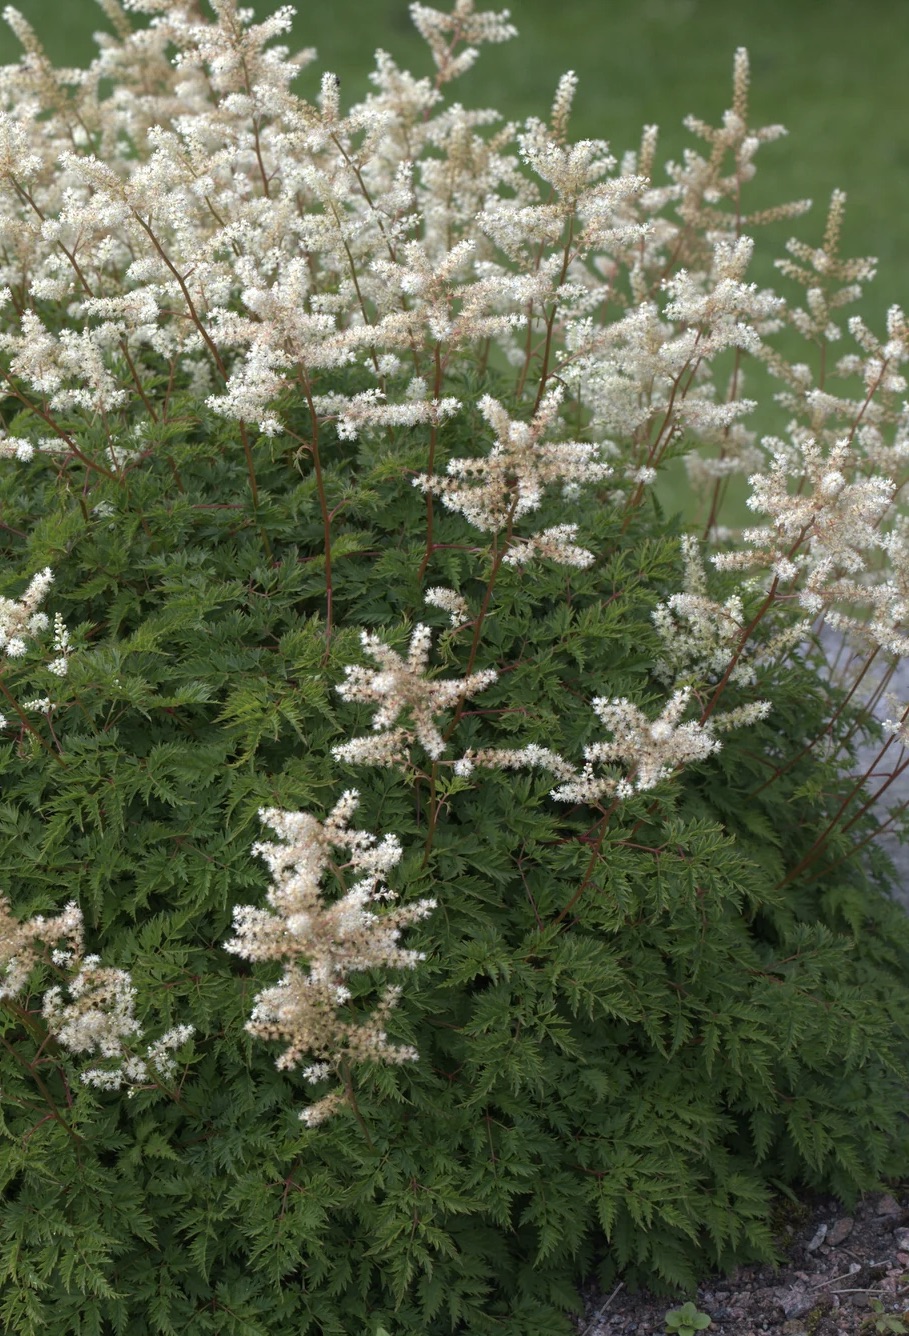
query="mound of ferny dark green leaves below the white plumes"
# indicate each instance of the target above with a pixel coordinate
(616, 1083)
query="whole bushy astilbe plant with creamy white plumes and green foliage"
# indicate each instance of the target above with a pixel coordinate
(330, 440)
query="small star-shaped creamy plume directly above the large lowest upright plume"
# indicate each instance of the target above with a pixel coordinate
(403, 686)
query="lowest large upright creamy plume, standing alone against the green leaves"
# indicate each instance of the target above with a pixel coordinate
(334, 940)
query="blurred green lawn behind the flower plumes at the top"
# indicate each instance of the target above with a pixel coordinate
(832, 71)
